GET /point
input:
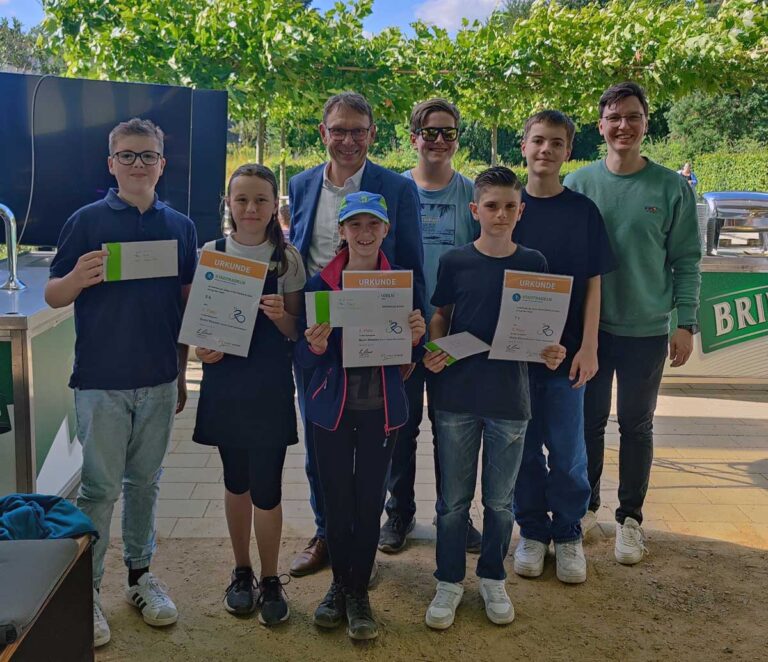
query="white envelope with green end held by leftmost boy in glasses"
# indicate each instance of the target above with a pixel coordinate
(132, 260)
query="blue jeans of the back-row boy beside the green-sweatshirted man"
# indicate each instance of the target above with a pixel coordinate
(558, 482)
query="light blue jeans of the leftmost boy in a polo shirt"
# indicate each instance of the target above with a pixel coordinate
(125, 435)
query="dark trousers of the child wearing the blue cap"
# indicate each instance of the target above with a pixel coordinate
(352, 463)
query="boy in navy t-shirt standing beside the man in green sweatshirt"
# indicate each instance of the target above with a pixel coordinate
(568, 229)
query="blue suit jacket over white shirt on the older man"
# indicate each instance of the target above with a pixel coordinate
(402, 246)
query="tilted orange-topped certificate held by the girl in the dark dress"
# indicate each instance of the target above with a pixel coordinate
(223, 303)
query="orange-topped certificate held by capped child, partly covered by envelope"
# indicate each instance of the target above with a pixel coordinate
(374, 343)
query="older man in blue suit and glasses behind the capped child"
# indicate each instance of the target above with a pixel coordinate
(347, 131)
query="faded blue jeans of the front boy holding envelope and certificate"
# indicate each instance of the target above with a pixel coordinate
(459, 450)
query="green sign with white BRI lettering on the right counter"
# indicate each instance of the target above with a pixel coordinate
(734, 309)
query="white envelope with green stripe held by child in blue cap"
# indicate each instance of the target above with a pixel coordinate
(346, 308)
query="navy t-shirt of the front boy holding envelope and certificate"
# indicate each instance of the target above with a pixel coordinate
(473, 283)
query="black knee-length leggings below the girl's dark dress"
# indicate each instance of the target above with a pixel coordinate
(259, 470)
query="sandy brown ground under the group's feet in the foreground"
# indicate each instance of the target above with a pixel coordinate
(691, 599)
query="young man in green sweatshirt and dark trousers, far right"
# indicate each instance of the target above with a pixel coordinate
(650, 215)
